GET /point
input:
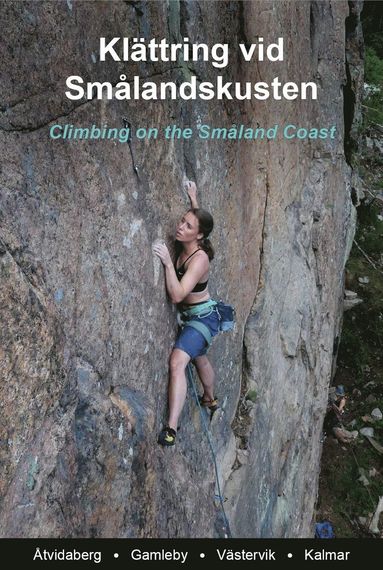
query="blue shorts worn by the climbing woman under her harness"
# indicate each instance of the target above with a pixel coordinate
(192, 341)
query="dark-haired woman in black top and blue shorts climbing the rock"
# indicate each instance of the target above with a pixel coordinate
(186, 284)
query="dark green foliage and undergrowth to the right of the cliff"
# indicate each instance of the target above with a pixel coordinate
(343, 497)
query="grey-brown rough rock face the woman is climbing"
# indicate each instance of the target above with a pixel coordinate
(86, 325)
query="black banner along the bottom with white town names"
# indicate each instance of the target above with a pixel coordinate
(188, 553)
